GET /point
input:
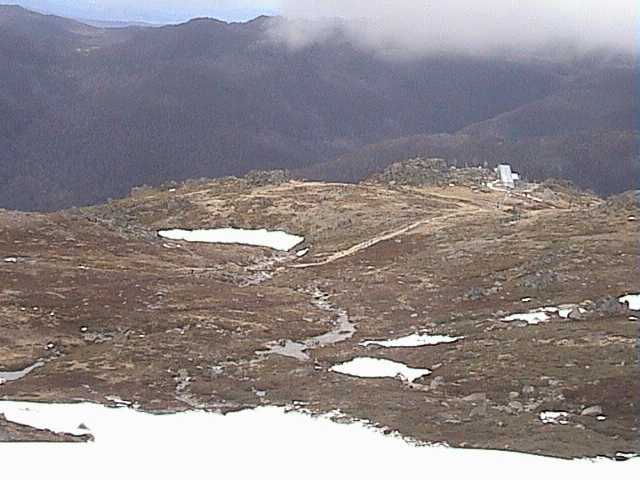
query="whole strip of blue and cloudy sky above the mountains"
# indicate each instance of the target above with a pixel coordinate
(409, 25)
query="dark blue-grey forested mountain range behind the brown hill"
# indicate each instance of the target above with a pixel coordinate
(89, 112)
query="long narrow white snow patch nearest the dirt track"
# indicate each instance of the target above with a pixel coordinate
(276, 240)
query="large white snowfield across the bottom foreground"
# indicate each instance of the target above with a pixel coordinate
(261, 443)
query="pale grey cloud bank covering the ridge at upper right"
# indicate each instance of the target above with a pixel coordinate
(414, 27)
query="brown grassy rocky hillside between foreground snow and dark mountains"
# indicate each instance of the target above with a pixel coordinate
(519, 292)
